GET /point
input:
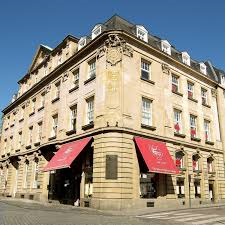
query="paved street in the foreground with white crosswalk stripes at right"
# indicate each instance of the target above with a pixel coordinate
(20, 213)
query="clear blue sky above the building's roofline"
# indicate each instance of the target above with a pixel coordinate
(194, 26)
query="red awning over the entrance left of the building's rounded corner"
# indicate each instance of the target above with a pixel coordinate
(65, 156)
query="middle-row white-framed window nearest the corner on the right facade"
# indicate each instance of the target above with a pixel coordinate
(146, 112)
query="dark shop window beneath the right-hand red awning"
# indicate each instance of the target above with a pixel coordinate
(148, 185)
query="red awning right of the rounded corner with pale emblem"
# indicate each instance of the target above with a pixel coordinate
(156, 156)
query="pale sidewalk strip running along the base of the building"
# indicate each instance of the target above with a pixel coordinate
(36, 205)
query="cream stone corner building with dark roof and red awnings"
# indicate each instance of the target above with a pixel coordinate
(118, 119)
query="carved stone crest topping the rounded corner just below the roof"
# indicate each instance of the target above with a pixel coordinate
(114, 47)
